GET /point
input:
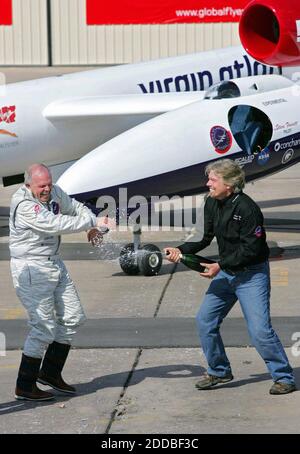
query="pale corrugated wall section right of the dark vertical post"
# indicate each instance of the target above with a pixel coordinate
(76, 43)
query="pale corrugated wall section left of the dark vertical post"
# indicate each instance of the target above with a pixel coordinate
(25, 42)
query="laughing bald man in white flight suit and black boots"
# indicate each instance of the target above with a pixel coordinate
(40, 213)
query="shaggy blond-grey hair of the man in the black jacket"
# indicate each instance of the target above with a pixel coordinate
(230, 171)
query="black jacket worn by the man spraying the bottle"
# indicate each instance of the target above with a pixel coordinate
(237, 223)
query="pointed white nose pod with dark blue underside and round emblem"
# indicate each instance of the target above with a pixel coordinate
(254, 121)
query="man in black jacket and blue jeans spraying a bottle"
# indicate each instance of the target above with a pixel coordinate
(242, 273)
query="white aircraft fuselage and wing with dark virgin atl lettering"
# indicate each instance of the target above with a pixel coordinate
(58, 120)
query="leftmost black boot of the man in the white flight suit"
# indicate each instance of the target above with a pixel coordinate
(26, 388)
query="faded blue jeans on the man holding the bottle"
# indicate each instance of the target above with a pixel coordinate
(252, 289)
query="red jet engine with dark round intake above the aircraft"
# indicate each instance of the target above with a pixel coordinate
(270, 31)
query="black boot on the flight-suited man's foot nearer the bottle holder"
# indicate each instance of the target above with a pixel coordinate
(54, 361)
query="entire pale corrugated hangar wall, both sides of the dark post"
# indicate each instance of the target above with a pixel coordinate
(25, 42)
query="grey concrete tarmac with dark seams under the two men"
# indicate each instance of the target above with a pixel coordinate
(137, 359)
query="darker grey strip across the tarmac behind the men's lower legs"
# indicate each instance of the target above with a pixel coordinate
(164, 332)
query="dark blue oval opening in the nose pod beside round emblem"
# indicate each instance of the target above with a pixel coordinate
(251, 128)
